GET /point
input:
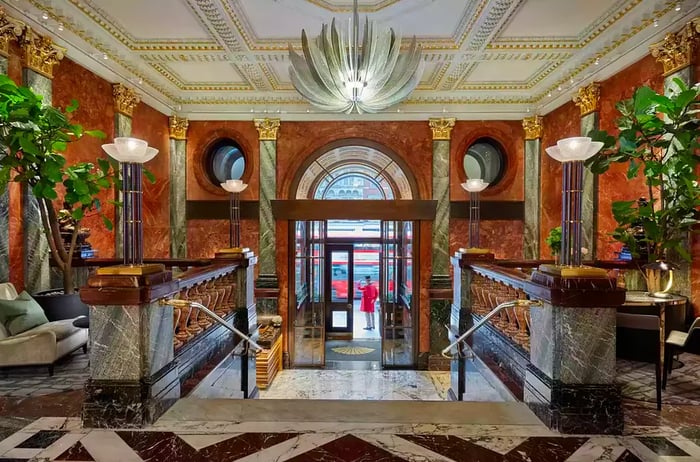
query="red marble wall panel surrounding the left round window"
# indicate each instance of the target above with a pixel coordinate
(200, 135)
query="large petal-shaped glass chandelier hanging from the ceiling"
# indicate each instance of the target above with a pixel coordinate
(345, 72)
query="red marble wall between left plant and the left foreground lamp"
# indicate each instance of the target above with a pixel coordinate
(95, 112)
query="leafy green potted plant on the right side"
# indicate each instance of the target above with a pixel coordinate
(659, 139)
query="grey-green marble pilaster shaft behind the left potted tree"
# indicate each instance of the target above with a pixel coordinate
(37, 271)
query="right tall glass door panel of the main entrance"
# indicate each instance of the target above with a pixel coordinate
(396, 271)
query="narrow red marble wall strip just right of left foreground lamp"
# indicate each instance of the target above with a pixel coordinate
(152, 126)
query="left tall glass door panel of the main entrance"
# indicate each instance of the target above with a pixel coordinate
(309, 318)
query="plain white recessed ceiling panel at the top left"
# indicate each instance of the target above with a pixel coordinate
(153, 19)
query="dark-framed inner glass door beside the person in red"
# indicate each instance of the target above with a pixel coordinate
(339, 288)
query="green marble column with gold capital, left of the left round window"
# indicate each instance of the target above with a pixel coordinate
(178, 187)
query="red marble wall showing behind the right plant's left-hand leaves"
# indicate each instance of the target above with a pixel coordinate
(613, 185)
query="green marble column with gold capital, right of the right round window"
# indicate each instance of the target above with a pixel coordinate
(533, 180)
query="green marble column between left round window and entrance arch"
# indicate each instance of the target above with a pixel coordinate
(268, 282)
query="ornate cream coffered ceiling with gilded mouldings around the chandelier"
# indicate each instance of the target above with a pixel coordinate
(226, 59)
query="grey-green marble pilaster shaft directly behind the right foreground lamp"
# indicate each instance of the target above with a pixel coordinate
(589, 211)
